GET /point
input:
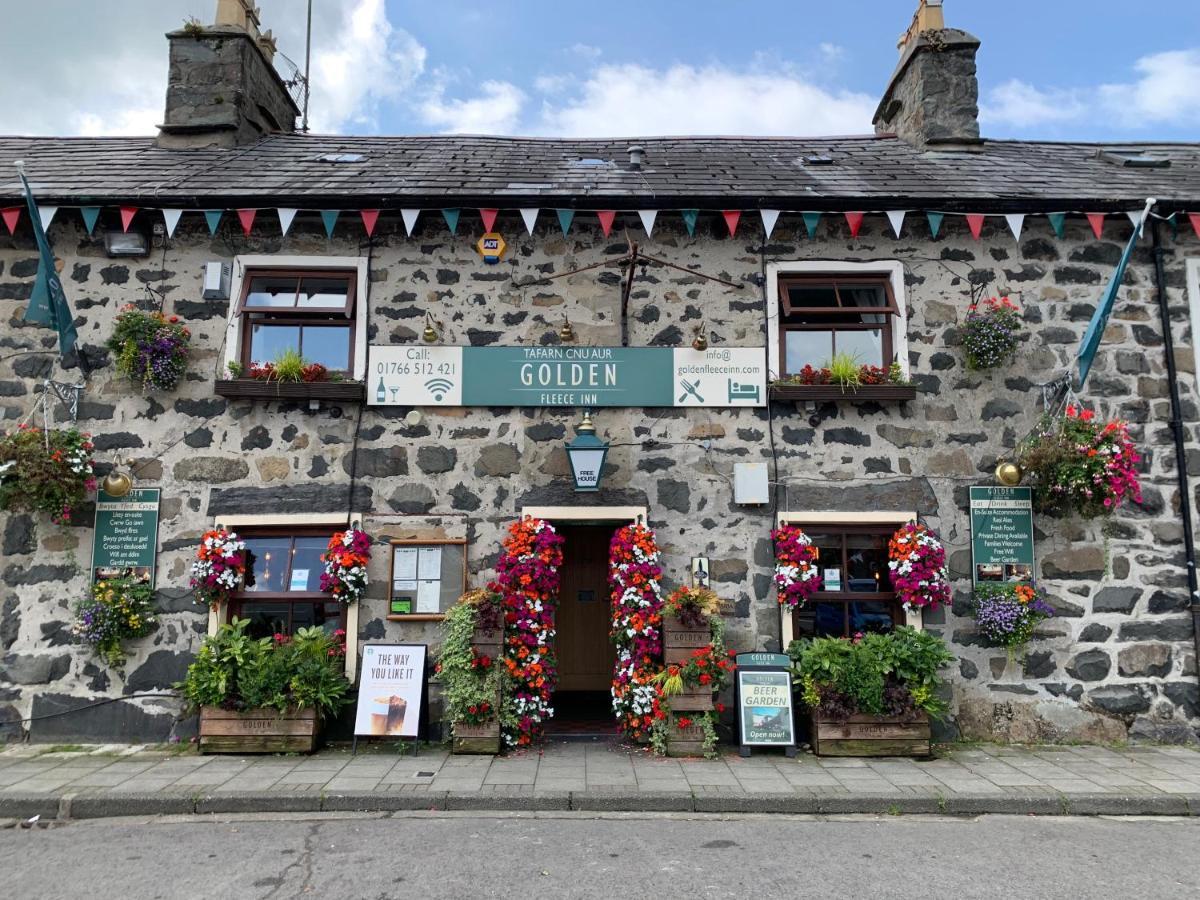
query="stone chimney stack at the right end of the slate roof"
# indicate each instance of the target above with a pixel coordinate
(933, 99)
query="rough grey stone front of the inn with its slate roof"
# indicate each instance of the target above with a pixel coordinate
(1118, 661)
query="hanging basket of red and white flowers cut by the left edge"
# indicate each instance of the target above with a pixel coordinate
(46, 472)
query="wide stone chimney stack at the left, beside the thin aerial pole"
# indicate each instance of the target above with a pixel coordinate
(223, 89)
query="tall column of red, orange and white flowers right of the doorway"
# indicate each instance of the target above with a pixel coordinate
(635, 577)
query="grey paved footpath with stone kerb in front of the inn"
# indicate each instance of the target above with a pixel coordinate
(1047, 781)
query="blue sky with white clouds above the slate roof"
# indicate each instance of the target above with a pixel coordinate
(1105, 70)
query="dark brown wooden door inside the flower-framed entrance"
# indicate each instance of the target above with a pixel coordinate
(586, 656)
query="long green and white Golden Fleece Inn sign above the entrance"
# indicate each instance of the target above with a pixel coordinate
(567, 377)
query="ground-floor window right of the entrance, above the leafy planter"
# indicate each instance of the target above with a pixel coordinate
(856, 593)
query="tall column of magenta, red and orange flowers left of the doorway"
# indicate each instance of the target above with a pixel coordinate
(527, 578)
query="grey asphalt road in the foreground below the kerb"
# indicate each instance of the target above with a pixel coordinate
(603, 856)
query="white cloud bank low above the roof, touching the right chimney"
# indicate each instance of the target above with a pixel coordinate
(715, 100)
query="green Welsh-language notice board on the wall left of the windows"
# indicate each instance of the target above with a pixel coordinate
(125, 539)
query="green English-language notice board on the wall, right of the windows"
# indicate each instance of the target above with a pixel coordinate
(1001, 535)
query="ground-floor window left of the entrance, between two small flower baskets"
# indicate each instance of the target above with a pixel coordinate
(283, 591)
